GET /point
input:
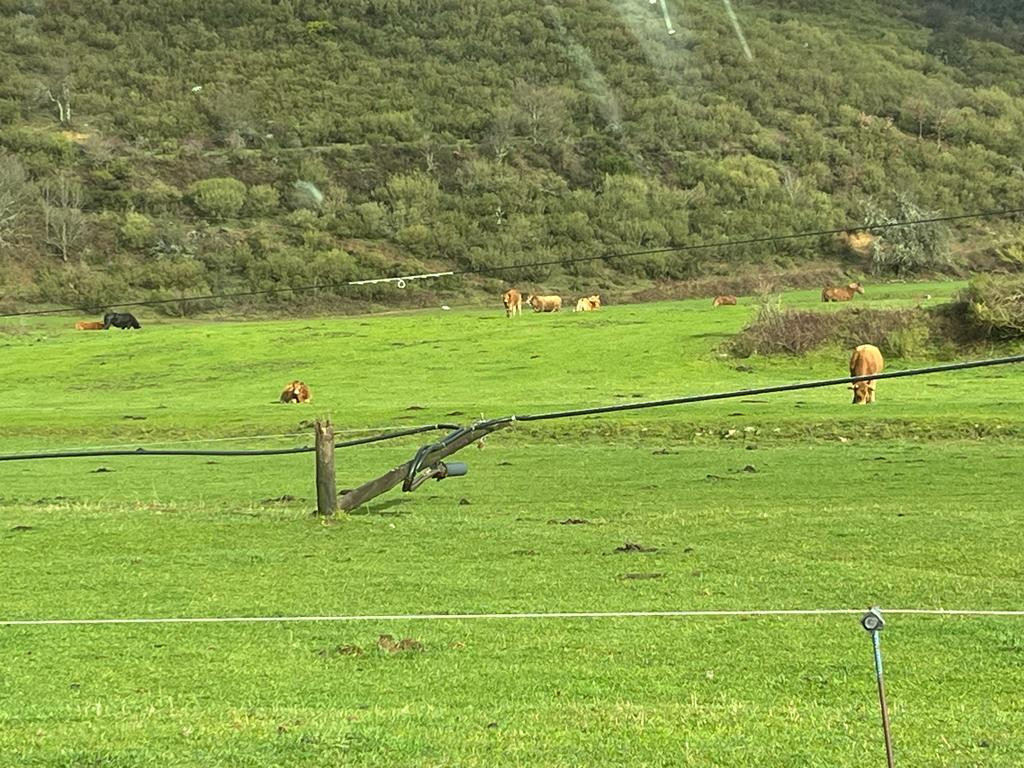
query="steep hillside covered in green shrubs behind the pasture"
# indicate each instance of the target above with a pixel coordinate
(174, 147)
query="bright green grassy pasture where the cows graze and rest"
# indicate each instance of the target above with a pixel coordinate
(793, 501)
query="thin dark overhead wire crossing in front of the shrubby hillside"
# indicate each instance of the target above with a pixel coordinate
(401, 281)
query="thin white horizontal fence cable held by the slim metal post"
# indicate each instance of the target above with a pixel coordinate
(510, 617)
